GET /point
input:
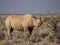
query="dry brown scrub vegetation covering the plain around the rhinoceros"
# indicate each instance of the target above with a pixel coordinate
(47, 34)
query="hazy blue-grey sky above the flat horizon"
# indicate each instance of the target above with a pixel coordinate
(29, 6)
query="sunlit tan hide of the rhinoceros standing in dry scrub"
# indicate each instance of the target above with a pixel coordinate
(19, 22)
